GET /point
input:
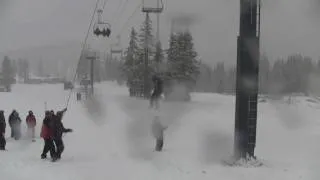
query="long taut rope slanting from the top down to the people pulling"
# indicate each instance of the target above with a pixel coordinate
(82, 50)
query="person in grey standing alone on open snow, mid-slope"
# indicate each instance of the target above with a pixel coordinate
(158, 130)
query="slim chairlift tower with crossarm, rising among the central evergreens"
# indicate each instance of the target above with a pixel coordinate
(147, 10)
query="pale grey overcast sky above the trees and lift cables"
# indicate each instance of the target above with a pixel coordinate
(288, 26)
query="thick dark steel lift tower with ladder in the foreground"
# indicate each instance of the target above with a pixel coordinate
(247, 79)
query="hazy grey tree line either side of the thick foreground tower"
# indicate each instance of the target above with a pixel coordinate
(293, 74)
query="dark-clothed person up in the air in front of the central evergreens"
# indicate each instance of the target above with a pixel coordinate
(157, 90)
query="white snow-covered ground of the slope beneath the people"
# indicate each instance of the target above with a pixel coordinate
(118, 144)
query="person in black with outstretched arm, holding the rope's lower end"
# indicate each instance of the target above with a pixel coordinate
(58, 130)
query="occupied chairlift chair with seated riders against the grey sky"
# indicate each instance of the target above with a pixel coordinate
(101, 27)
